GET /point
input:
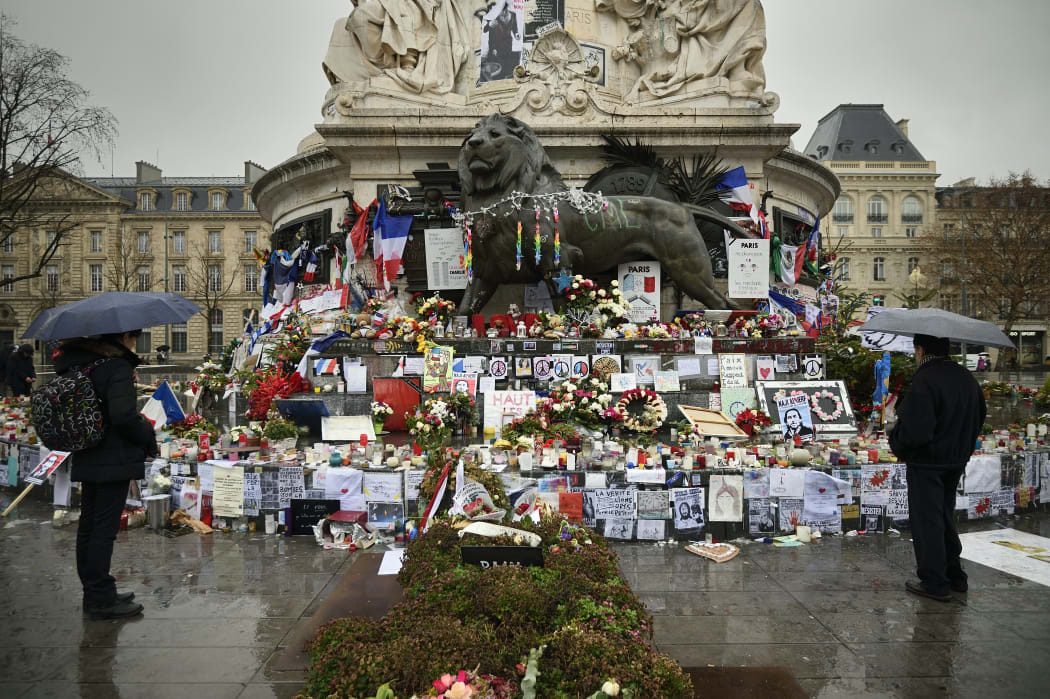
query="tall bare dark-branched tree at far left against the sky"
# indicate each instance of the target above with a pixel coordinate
(47, 126)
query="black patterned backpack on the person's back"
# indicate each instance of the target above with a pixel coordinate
(68, 413)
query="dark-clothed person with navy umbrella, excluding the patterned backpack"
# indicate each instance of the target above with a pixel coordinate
(101, 333)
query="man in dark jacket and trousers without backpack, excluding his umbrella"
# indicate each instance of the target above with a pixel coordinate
(939, 420)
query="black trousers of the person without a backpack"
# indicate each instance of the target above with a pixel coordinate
(932, 506)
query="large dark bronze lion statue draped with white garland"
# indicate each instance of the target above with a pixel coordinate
(503, 156)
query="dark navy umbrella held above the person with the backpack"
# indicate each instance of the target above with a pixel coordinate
(113, 312)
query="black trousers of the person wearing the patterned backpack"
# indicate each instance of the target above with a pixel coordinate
(100, 520)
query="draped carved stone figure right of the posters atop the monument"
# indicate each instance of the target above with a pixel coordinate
(676, 43)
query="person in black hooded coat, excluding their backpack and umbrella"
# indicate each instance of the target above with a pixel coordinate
(107, 470)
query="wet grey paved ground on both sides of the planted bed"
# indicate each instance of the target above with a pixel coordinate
(221, 610)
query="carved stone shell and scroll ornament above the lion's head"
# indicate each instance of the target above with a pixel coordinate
(557, 77)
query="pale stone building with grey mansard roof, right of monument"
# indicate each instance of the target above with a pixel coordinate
(881, 223)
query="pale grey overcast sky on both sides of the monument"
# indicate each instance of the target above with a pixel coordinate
(202, 86)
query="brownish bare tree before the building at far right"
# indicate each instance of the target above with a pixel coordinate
(1005, 227)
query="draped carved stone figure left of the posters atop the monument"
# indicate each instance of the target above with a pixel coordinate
(419, 45)
